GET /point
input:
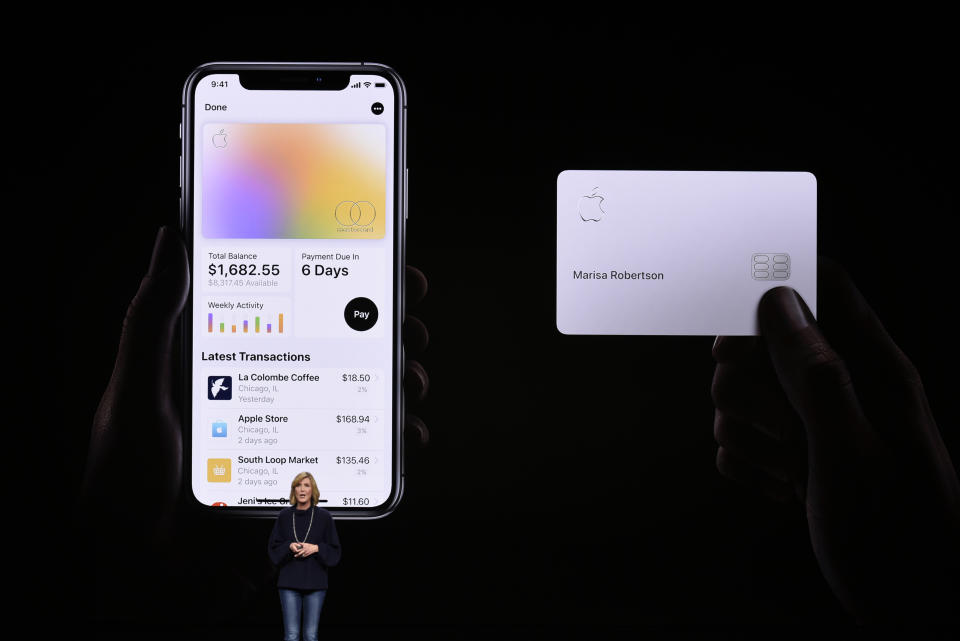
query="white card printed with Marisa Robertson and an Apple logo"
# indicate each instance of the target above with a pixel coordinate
(681, 252)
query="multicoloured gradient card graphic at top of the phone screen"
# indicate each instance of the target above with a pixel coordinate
(294, 180)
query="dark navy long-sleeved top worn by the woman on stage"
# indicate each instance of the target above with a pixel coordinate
(304, 573)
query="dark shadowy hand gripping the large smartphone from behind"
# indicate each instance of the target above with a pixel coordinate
(136, 419)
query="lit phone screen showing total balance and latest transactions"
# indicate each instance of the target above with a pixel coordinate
(293, 312)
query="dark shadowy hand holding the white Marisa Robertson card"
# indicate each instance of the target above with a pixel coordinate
(837, 415)
